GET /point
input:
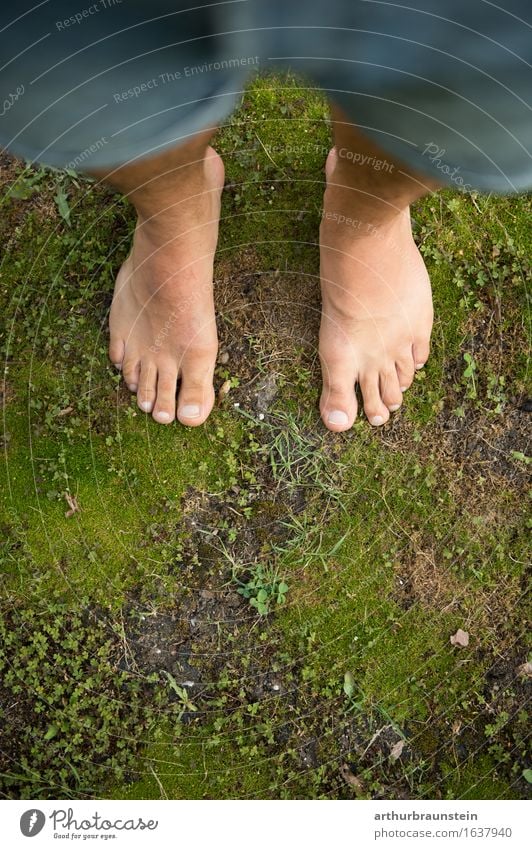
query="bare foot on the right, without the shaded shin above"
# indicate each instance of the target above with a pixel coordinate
(376, 308)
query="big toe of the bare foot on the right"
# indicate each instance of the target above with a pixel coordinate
(338, 403)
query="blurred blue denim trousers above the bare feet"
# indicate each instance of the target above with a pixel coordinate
(444, 86)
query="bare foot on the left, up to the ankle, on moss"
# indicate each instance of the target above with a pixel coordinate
(162, 320)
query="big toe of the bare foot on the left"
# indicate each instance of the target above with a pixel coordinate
(196, 394)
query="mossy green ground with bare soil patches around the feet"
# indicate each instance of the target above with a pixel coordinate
(257, 607)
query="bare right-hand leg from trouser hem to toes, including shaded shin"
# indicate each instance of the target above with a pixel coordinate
(377, 305)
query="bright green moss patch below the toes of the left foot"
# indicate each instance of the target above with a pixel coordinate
(104, 550)
